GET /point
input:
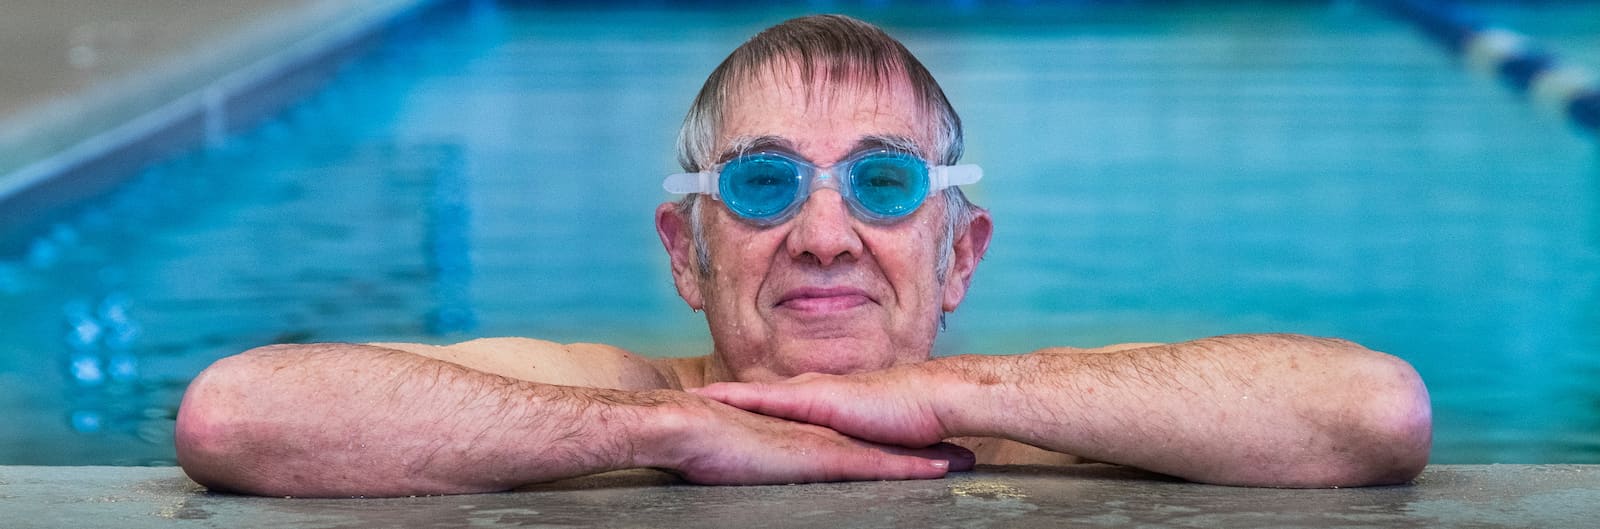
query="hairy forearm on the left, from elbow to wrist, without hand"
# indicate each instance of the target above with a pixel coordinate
(342, 420)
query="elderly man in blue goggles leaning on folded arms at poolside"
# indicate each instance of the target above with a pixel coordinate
(825, 241)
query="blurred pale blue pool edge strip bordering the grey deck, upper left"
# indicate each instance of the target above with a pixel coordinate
(274, 73)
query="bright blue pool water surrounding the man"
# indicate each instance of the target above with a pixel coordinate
(1156, 175)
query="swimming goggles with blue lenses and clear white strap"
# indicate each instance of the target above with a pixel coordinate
(769, 188)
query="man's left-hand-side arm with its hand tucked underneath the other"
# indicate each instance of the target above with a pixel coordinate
(343, 420)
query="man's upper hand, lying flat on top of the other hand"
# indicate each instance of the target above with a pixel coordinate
(894, 407)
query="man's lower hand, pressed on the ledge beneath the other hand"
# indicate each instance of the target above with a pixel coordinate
(714, 443)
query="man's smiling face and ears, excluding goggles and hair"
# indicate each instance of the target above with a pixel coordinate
(823, 292)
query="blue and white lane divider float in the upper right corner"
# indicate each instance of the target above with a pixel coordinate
(1538, 74)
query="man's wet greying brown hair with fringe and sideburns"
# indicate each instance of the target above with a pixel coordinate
(836, 52)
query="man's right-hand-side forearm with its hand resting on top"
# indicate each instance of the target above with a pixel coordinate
(1238, 410)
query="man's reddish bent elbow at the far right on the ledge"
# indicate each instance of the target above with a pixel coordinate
(1390, 426)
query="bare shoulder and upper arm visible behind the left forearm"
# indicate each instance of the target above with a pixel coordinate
(534, 360)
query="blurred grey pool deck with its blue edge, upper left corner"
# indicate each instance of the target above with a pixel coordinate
(94, 89)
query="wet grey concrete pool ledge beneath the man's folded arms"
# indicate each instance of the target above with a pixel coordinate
(1087, 496)
